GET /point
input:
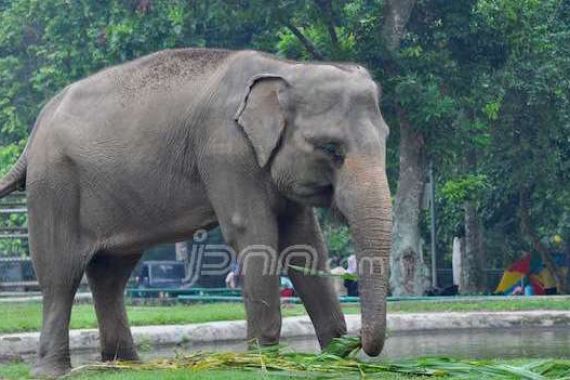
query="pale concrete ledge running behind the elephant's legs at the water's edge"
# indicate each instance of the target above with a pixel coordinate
(16, 345)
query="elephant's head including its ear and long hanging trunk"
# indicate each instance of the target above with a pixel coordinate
(319, 131)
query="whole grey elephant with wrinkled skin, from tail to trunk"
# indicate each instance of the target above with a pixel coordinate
(152, 150)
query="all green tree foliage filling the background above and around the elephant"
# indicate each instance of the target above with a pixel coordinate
(484, 81)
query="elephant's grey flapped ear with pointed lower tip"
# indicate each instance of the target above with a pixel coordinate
(261, 115)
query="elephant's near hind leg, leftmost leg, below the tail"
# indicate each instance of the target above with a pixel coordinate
(59, 258)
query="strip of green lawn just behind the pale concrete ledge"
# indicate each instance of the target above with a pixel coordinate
(22, 317)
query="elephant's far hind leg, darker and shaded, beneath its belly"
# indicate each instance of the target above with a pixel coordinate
(108, 275)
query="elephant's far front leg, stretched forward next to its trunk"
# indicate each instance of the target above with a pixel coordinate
(302, 244)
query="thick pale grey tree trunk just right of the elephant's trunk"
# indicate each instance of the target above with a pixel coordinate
(407, 268)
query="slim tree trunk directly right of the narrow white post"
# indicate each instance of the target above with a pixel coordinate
(473, 276)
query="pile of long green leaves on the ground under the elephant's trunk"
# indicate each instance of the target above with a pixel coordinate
(339, 360)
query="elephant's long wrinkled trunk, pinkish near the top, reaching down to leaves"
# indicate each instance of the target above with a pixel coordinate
(363, 197)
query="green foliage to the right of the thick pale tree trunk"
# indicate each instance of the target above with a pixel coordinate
(505, 66)
